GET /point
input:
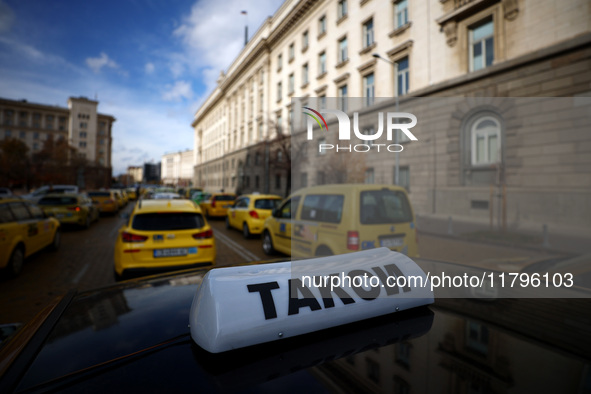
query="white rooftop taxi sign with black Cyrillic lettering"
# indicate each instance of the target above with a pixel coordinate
(242, 306)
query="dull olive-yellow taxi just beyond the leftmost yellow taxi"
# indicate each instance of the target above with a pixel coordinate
(70, 208)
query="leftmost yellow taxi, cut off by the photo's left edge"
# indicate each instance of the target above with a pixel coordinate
(24, 230)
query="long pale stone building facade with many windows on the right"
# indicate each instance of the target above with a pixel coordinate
(475, 72)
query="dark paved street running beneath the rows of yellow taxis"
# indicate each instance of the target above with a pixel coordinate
(84, 261)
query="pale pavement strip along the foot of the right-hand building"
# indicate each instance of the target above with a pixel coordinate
(554, 239)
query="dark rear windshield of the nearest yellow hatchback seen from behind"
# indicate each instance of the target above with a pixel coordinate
(167, 221)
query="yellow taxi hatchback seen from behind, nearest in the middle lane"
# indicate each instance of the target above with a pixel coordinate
(164, 235)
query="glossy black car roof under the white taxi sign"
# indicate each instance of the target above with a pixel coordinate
(135, 337)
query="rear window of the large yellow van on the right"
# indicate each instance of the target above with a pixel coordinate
(383, 207)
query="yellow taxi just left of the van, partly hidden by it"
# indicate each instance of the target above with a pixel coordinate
(250, 211)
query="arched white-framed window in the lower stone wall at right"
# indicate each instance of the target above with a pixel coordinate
(486, 141)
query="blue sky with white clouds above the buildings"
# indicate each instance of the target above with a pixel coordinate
(150, 63)
